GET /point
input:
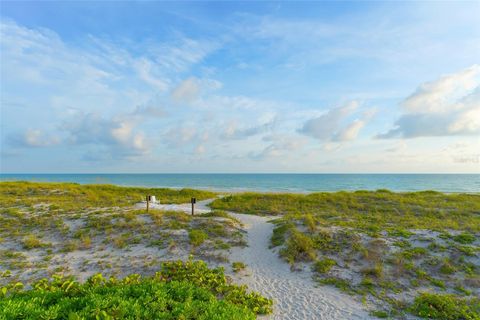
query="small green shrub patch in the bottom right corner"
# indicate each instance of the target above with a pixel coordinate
(445, 307)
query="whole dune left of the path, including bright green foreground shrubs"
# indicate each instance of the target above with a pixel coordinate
(52, 234)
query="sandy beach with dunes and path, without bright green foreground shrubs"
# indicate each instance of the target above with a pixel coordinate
(315, 256)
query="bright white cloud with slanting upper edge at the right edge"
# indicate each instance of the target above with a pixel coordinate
(446, 107)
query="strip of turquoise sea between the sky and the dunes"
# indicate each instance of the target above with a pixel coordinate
(274, 182)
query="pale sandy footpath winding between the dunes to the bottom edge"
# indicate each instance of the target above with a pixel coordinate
(294, 293)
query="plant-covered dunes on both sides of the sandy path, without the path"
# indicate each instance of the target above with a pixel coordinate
(399, 253)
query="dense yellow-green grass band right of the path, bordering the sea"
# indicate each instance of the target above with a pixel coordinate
(366, 210)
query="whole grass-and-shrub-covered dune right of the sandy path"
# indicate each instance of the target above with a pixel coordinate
(415, 252)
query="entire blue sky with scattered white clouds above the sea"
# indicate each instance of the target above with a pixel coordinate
(173, 87)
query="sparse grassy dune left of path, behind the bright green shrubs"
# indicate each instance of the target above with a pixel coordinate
(43, 224)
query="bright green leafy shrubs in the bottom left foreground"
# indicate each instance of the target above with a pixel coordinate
(180, 290)
